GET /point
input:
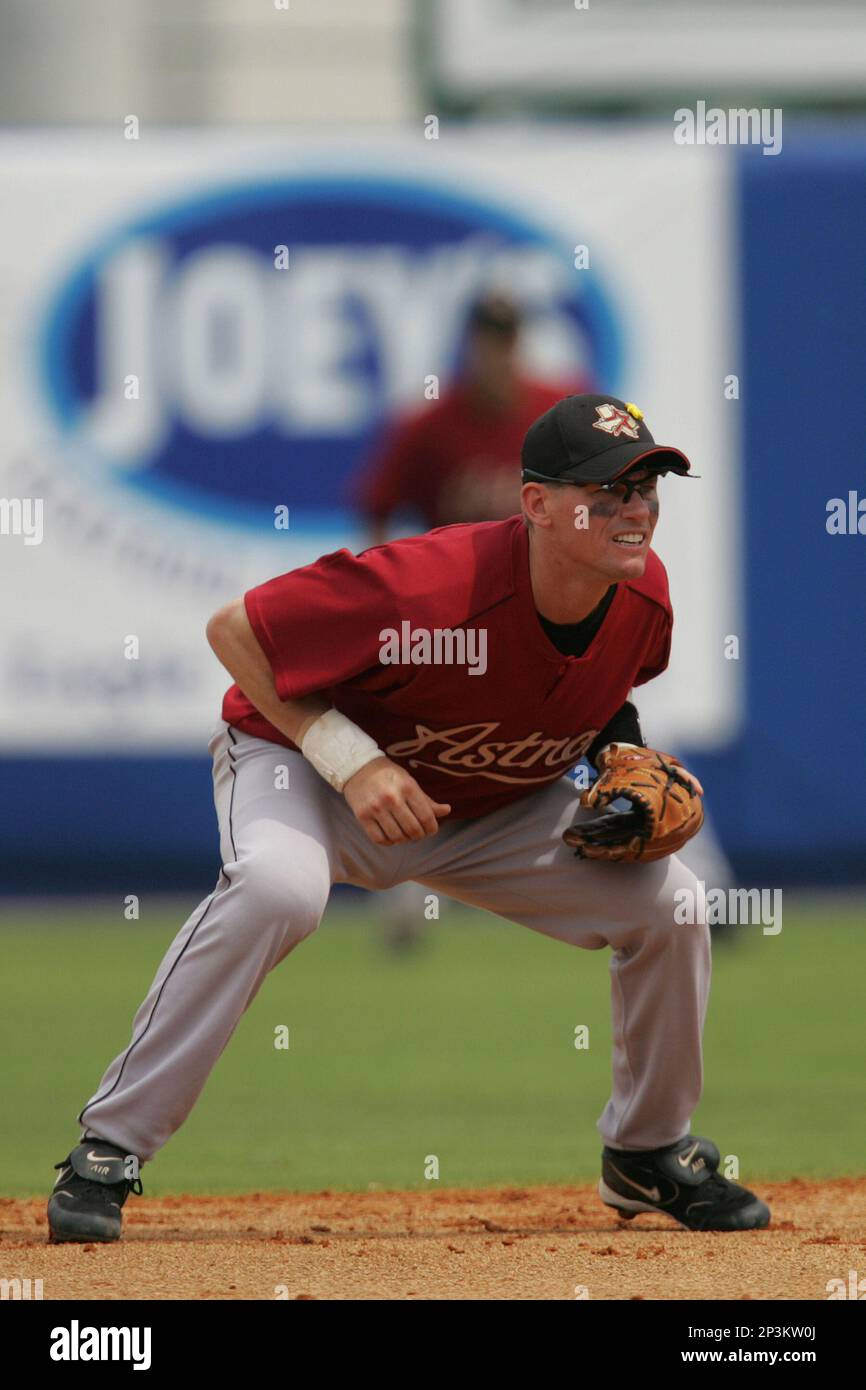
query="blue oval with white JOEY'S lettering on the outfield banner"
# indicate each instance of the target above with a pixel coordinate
(240, 351)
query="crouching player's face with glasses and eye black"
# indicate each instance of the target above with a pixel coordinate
(611, 530)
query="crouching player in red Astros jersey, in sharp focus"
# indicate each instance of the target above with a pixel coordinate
(429, 698)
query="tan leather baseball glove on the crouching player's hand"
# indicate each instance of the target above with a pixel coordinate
(665, 807)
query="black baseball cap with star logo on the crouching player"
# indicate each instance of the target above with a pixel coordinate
(594, 440)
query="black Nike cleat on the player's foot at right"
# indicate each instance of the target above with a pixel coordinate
(680, 1181)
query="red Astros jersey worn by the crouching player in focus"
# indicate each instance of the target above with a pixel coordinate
(476, 739)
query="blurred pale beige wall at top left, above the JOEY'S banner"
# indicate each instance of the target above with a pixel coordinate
(223, 62)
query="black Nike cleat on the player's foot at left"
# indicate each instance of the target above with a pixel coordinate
(91, 1191)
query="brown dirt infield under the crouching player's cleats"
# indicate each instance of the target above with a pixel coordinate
(497, 1243)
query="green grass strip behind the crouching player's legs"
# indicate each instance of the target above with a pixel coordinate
(464, 1049)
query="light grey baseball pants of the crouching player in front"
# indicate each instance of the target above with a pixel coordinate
(283, 850)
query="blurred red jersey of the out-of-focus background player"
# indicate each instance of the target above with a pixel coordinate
(457, 461)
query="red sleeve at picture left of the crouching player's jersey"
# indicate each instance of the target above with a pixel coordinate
(320, 625)
